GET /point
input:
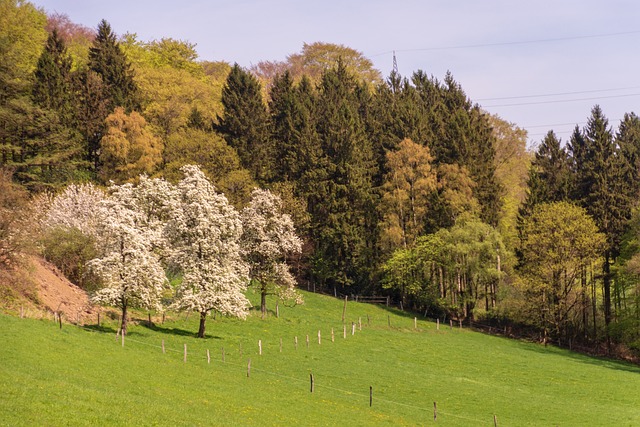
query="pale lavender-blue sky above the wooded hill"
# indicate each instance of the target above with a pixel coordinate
(541, 65)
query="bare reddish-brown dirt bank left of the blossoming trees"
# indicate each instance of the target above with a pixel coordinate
(56, 293)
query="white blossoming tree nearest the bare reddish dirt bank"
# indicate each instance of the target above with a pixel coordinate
(129, 269)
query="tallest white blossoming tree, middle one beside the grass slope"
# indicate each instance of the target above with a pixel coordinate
(205, 233)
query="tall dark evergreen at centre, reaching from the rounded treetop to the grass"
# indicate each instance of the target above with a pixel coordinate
(344, 214)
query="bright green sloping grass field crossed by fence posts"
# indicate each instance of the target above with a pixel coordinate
(83, 376)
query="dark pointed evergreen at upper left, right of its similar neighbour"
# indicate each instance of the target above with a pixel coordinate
(108, 61)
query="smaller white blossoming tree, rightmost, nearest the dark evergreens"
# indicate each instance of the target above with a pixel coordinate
(268, 238)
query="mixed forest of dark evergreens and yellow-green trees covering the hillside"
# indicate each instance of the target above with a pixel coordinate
(399, 185)
